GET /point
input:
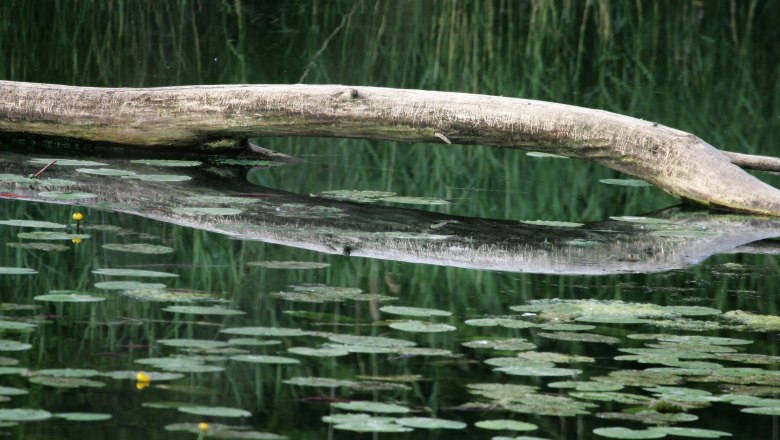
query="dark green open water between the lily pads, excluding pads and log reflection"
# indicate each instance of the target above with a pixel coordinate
(699, 67)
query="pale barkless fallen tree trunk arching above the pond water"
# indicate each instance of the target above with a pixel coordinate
(674, 161)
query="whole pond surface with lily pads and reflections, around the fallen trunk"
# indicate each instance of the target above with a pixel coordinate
(252, 297)
